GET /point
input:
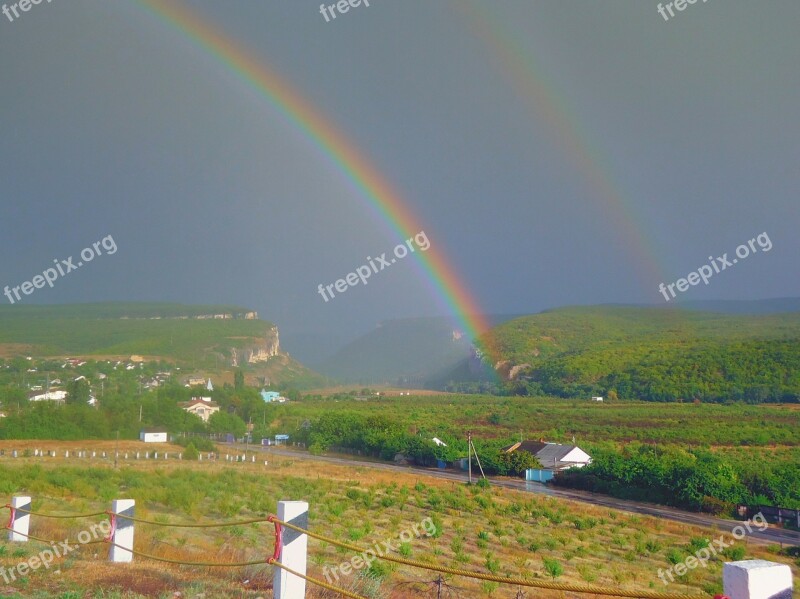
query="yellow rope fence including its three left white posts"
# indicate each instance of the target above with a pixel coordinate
(290, 551)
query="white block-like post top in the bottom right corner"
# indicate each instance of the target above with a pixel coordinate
(757, 579)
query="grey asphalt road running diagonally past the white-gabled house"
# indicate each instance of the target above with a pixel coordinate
(770, 535)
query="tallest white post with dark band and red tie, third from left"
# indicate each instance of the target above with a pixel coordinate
(294, 551)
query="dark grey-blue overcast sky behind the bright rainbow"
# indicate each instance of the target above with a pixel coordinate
(557, 152)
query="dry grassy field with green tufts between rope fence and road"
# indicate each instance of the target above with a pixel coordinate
(486, 530)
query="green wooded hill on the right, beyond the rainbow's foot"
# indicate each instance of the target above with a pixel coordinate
(652, 353)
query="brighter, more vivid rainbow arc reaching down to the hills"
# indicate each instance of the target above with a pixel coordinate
(449, 290)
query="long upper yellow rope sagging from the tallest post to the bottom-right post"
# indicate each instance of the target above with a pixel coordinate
(574, 588)
